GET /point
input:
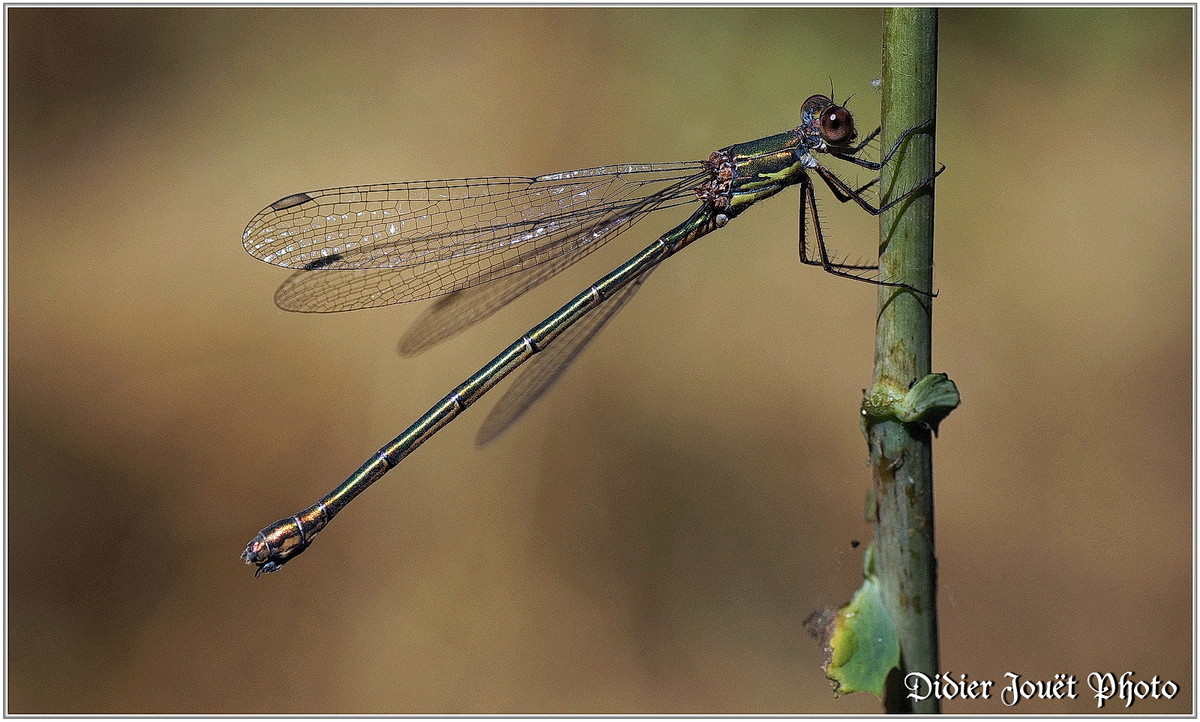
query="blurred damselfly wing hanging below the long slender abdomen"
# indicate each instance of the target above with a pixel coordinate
(547, 368)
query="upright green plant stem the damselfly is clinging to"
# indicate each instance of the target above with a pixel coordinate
(902, 454)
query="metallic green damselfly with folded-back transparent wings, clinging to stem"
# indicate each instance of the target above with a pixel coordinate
(482, 243)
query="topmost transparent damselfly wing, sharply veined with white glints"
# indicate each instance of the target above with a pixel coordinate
(460, 227)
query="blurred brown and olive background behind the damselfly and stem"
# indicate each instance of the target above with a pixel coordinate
(653, 536)
